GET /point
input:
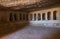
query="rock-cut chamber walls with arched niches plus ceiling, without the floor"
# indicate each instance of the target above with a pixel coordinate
(18, 14)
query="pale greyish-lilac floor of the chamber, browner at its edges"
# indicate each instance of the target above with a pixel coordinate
(33, 32)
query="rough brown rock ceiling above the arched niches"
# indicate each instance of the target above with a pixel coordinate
(26, 4)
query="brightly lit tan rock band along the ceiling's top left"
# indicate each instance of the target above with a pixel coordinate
(9, 3)
